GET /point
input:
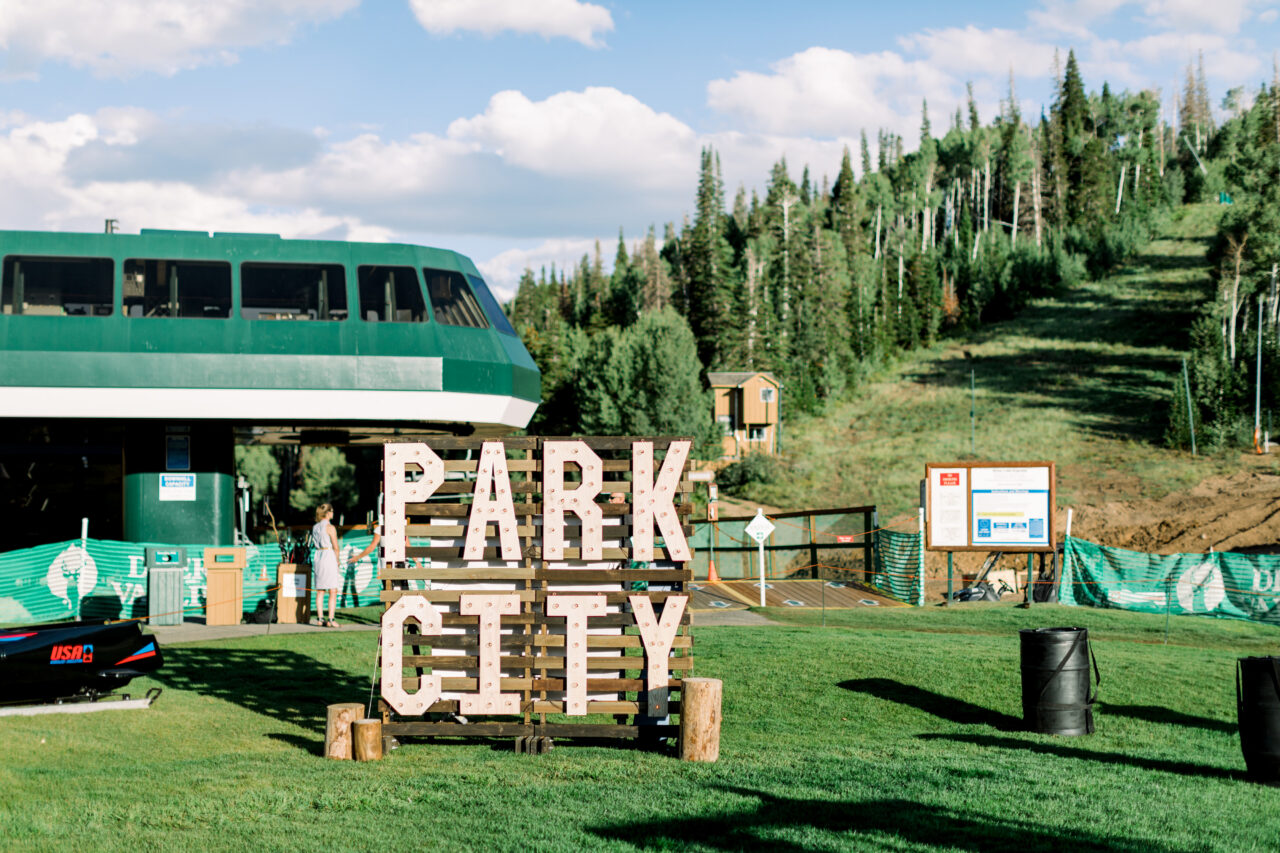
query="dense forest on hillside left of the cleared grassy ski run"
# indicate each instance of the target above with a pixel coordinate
(824, 281)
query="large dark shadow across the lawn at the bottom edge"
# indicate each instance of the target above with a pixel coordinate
(907, 822)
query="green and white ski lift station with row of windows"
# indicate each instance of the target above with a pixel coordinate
(156, 353)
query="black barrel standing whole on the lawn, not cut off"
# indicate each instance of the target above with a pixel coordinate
(1057, 697)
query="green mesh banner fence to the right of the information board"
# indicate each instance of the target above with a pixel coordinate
(1222, 585)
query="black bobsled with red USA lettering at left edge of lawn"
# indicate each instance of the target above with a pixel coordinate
(74, 660)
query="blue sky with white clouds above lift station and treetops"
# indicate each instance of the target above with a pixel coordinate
(520, 133)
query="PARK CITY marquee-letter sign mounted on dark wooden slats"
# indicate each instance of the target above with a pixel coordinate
(536, 587)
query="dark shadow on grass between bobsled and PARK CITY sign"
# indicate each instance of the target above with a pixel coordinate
(276, 683)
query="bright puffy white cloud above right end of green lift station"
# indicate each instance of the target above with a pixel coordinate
(598, 133)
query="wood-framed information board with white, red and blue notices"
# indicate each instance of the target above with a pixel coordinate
(990, 507)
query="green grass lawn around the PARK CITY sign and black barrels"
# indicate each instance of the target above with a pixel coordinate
(886, 731)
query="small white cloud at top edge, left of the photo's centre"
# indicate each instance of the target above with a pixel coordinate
(582, 22)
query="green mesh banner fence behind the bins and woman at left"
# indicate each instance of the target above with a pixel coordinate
(99, 580)
